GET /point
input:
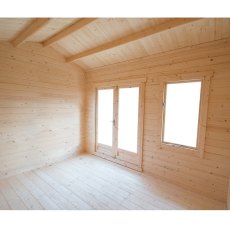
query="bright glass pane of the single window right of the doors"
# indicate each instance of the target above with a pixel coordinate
(182, 113)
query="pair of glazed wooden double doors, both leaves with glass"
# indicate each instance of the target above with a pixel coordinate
(119, 123)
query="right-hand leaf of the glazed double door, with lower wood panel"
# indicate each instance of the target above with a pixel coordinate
(128, 123)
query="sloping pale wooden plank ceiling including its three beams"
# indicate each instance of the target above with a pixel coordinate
(92, 43)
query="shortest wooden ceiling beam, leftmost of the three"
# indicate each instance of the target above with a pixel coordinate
(33, 27)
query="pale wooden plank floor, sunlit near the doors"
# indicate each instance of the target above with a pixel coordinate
(89, 182)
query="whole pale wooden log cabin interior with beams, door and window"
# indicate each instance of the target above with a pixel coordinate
(115, 113)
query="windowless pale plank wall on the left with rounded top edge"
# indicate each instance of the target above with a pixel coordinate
(41, 108)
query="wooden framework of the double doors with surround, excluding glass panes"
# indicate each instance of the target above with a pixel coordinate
(114, 154)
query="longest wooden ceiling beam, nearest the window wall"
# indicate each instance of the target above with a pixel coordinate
(132, 37)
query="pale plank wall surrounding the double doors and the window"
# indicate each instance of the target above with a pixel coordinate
(208, 176)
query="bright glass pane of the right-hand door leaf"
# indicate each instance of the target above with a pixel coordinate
(128, 118)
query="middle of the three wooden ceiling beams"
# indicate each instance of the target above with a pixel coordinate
(68, 30)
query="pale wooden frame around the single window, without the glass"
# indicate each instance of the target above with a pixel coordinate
(204, 78)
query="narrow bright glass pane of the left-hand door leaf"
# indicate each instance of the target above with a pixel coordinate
(105, 117)
